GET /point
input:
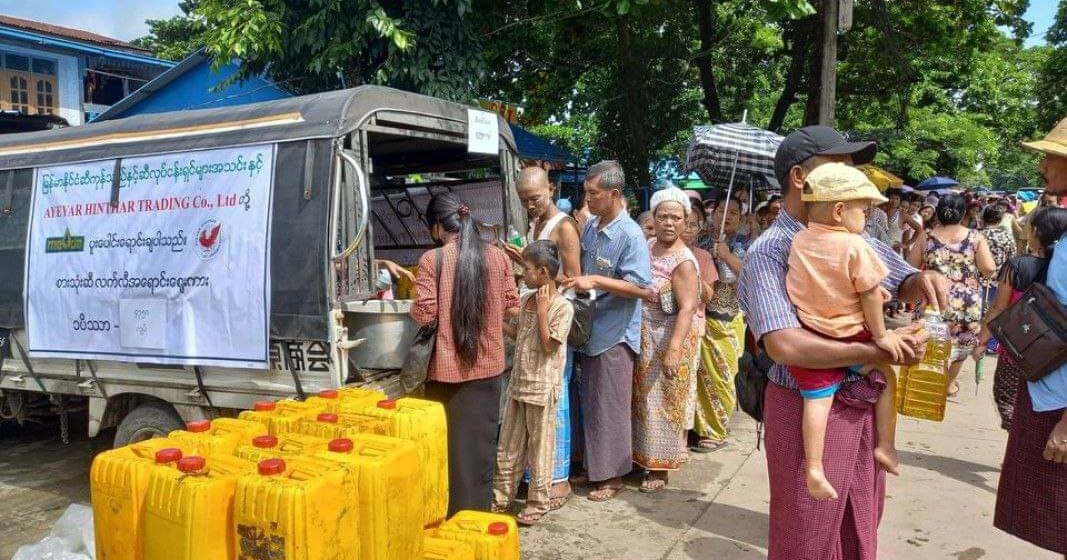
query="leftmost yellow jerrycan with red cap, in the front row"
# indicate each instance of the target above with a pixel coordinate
(119, 481)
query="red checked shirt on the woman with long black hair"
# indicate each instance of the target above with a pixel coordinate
(501, 295)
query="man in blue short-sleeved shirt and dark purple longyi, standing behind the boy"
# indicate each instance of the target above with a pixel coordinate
(615, 263)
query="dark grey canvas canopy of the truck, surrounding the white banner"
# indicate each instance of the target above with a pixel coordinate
(305, 129)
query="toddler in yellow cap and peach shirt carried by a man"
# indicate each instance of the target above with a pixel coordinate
(835, 281)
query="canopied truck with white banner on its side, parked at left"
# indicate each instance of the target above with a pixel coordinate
(172, 267)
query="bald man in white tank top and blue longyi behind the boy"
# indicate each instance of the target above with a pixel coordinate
(548, 222)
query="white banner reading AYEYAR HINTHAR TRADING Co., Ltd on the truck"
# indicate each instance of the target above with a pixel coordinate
(179, 273)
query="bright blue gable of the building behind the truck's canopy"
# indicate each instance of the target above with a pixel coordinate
(194, 90)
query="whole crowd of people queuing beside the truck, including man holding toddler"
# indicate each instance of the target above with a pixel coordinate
(806, 274)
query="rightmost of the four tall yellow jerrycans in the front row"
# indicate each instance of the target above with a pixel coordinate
(385, 473)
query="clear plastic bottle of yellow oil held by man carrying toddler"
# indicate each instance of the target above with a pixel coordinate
(922, 390)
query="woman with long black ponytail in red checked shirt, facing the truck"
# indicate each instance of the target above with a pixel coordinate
(470, 301)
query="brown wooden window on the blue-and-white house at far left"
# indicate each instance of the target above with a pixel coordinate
(29, 85)
